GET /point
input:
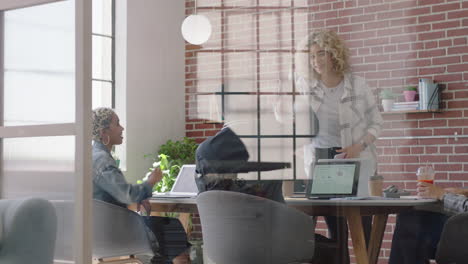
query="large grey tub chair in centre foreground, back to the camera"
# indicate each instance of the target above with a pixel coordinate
(241, 228)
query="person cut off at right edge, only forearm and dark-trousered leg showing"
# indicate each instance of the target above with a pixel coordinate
(417, 233)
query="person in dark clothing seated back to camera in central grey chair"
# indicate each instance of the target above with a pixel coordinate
(221, 157)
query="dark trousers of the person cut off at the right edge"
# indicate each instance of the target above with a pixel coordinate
(416, 236)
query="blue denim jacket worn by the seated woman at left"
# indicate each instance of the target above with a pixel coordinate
(109, 184)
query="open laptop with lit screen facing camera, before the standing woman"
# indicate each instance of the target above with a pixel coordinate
(333, 179)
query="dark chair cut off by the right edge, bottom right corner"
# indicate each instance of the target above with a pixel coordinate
(453, 241)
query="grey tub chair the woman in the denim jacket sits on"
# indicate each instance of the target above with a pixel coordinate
(118, 233)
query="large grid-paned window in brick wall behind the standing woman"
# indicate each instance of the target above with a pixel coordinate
(242, 77)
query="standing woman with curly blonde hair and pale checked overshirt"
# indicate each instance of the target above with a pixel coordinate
(345, 110)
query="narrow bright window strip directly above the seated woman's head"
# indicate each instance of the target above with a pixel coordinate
(103, 53)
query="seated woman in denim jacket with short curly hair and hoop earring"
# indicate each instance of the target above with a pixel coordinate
(109, 185)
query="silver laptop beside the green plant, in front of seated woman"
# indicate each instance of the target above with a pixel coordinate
(184, 185)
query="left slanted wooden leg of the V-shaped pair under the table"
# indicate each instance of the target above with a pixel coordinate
(357, 234)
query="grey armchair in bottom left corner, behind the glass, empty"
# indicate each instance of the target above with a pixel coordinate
(27, 231)
